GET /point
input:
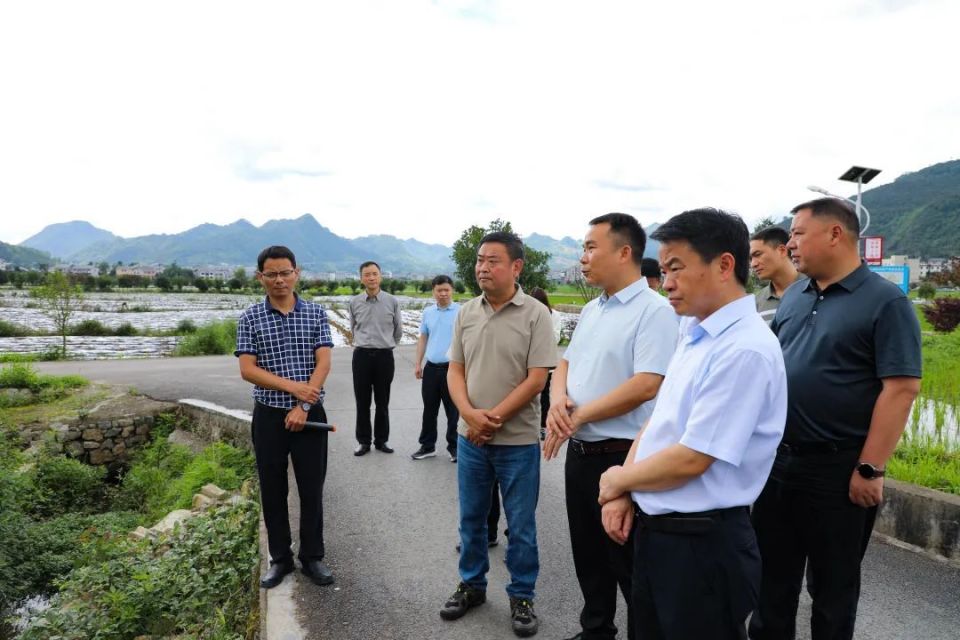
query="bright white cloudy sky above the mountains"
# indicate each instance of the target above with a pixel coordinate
(419, 118)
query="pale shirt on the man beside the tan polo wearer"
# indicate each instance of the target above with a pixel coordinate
(633, 331)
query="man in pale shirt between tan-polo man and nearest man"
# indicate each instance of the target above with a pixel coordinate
(603, 392)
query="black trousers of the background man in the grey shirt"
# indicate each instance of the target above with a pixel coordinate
(372, 376)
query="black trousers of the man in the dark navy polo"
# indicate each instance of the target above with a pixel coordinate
(804, 517)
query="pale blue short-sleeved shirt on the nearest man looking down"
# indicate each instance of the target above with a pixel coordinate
(725, 395)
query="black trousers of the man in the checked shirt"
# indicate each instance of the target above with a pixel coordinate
(272, 444)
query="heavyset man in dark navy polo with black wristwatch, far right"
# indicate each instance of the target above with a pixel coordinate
(851, 346)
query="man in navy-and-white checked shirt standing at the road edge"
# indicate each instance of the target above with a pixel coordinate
(283, 344)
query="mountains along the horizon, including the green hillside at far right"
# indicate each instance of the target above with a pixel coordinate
(917, 213)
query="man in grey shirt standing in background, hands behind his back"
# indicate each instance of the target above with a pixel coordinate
(377, 327)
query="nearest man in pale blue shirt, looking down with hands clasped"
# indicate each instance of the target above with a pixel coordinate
(708, 447)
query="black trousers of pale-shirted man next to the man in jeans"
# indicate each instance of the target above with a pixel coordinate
(602, 565)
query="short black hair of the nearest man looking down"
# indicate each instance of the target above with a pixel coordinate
(711, 232)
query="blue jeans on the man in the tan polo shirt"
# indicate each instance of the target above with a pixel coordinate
(517, 468)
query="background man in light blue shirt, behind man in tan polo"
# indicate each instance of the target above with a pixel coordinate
(436, 331)
